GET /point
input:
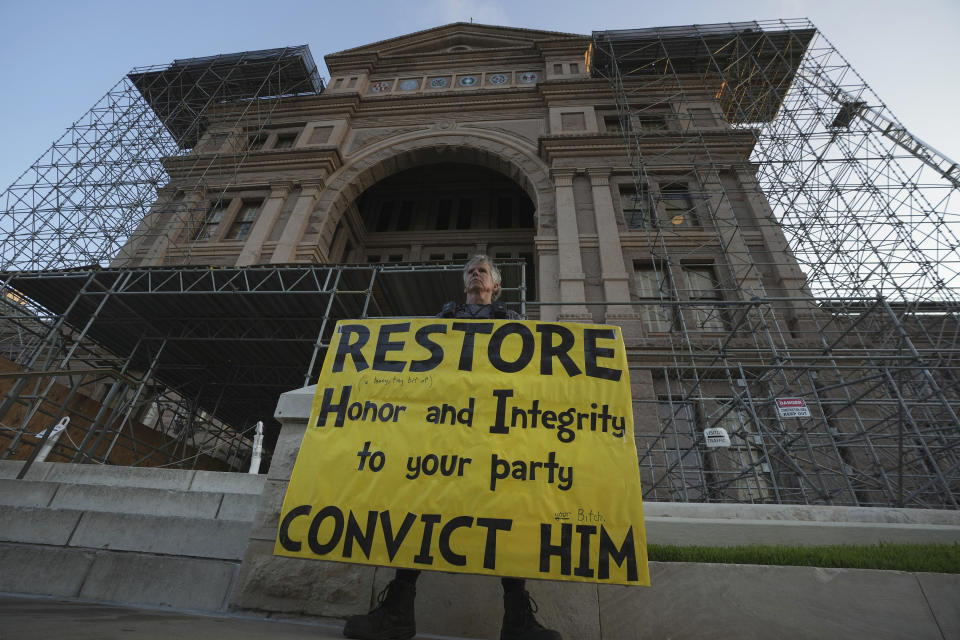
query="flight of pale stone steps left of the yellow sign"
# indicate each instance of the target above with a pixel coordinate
(158, 537)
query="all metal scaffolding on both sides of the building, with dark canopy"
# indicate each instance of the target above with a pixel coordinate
(832, 275)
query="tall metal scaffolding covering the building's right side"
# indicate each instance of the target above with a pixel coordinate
(767, 117)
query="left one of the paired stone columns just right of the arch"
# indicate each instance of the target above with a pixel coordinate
(570, 275)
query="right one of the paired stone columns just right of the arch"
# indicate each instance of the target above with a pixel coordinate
(616, 281)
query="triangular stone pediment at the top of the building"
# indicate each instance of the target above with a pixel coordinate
(455, 38)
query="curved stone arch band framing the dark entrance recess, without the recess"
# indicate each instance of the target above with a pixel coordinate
(396, 154)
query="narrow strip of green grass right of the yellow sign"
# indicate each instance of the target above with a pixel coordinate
(937, 558)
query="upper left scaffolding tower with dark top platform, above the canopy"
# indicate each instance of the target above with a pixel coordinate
(102, 183)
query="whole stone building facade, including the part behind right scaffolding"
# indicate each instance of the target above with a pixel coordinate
(632, 200)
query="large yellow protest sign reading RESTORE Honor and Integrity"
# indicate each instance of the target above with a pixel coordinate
(478, 446)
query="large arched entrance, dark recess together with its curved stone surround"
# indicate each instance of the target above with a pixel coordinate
(435, 199)
